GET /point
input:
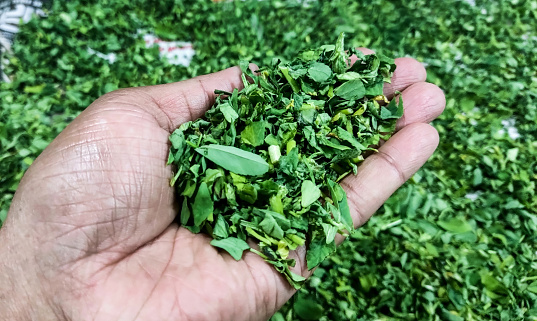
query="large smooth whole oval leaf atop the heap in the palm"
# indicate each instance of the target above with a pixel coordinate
(235, 160)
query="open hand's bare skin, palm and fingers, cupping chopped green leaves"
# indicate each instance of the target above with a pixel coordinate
(89, 235)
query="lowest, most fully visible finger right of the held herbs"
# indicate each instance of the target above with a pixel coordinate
(382, 173)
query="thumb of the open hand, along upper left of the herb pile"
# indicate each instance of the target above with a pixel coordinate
(189, 99)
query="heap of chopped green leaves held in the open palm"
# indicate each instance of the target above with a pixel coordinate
(264, 162)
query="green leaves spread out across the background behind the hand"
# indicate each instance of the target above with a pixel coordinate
(432, 252)
